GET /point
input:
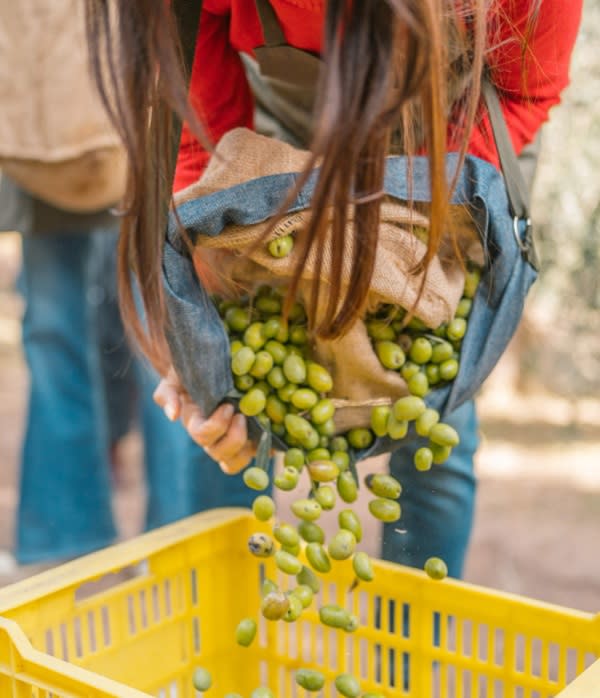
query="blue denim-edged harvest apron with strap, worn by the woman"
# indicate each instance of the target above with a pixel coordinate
(283, 78)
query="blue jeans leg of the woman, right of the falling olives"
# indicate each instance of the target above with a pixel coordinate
(437, 505)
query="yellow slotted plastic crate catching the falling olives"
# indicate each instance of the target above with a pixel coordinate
(64, 634)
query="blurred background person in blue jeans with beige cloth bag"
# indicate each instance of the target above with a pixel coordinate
(62, 170)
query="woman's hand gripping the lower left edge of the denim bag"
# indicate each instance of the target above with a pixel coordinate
(223, 435)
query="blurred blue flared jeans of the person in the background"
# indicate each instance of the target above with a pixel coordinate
(65, 493)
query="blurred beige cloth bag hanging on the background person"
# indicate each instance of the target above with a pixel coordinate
(55, 139)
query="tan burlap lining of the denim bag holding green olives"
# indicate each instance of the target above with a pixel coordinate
(359, 379)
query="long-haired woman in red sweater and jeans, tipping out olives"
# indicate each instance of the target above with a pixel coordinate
(394, 73)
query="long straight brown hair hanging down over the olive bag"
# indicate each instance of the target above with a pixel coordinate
(384, 62)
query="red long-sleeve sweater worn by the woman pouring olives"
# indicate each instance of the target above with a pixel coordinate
(221, 95)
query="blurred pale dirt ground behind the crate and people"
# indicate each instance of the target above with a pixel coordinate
(537, 521)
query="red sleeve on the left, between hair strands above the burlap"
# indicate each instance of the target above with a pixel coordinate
(219, 93)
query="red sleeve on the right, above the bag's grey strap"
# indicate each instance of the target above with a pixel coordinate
(528, 86)
